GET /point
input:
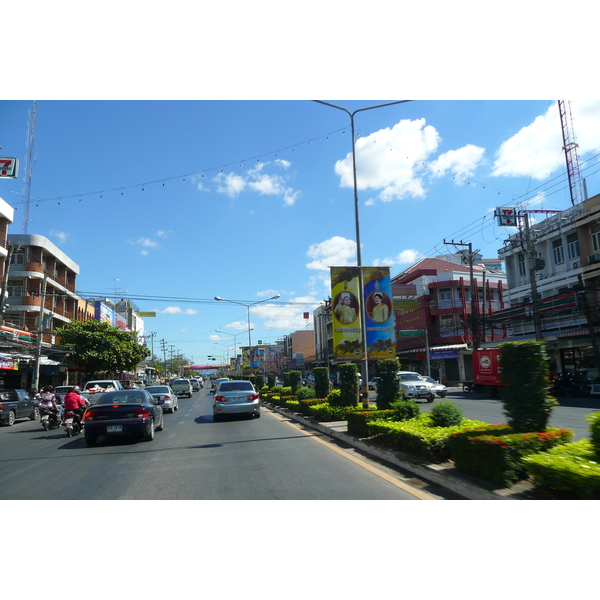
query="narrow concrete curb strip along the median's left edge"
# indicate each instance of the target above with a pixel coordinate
(444, 475)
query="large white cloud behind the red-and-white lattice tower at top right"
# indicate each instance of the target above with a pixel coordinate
(536, 150)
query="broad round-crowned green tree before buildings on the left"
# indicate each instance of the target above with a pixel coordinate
(97, 347)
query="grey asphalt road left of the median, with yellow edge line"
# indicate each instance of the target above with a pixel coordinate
(269, 458)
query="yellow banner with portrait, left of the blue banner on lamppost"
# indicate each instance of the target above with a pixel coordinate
(345, 298)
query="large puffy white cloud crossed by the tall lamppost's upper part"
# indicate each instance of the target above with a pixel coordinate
(391, 160)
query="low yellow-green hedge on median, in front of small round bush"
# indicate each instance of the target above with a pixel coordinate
(418, 436)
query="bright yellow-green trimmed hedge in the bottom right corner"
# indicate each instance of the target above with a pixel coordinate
(567, 472)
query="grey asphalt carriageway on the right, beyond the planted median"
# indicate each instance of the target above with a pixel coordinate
(570, 414)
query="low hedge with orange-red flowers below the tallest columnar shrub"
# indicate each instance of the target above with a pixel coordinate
(495, 454)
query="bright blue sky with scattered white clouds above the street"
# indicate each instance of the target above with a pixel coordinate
(187, 200)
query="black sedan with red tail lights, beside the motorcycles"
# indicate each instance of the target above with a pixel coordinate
(123, 412)
